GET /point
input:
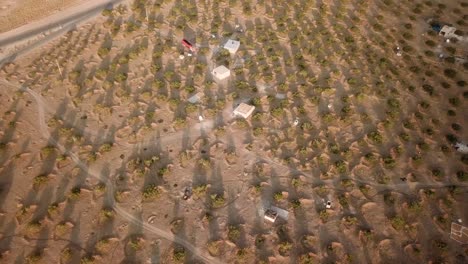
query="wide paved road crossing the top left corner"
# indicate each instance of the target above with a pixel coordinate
(67, 20)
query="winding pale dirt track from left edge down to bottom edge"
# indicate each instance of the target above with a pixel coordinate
(41, 105)
